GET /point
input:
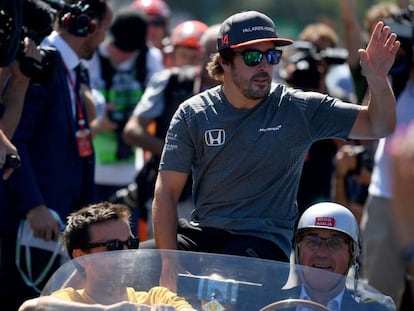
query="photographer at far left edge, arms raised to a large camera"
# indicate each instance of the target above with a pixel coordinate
(15, 48)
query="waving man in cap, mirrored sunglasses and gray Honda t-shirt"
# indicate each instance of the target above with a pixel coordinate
(244, 143)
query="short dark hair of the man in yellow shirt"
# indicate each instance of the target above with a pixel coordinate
(76, 233)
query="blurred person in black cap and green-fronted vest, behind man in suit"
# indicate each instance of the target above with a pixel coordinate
(120, 71)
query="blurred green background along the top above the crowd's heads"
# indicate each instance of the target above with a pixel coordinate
(290, 16)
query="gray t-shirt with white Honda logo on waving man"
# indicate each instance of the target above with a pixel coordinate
(246, 163)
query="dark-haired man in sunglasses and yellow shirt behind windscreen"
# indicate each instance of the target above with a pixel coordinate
(98, 228)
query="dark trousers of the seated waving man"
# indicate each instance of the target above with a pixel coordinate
(212, 240)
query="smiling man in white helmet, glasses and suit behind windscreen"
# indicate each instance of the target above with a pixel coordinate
(327, 238)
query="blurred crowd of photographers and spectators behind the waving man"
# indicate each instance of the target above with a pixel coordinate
(133, 74)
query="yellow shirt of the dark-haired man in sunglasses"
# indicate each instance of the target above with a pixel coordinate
(156, 295)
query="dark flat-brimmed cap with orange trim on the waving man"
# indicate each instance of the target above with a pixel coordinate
(246, 28)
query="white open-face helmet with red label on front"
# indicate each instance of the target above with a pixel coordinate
(332, 216)
